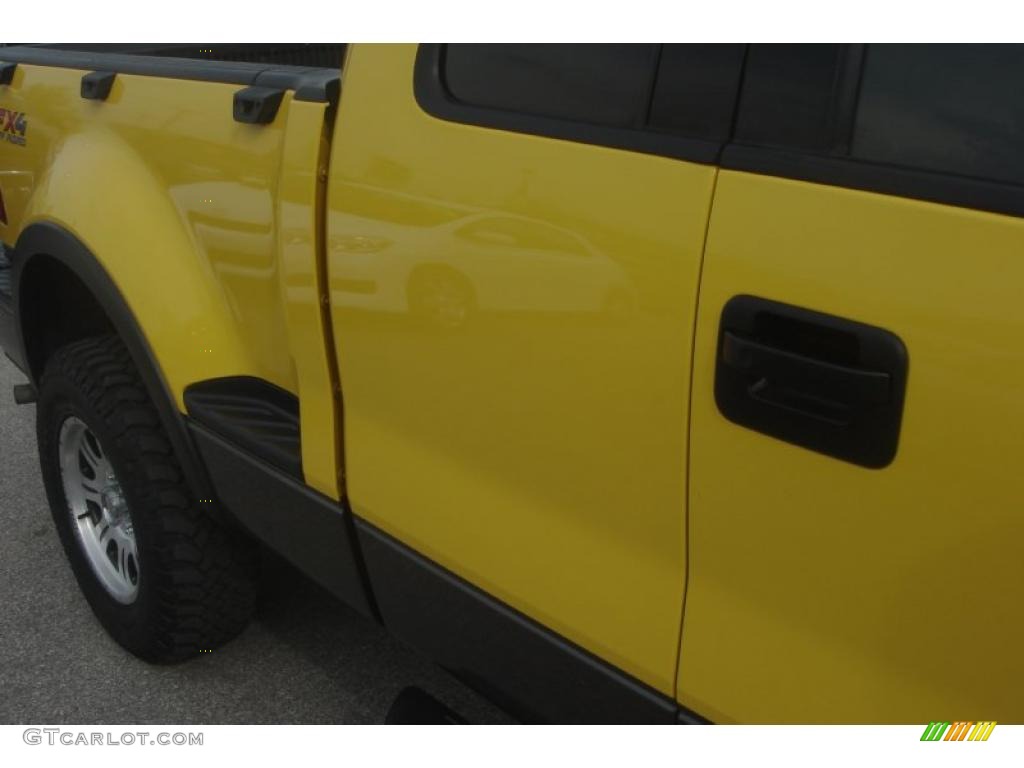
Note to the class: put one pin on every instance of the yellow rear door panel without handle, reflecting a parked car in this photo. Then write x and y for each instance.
(515, 319)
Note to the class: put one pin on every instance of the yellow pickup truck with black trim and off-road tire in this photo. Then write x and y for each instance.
(633, 383)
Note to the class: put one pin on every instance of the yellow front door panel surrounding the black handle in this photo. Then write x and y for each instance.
(824, 591)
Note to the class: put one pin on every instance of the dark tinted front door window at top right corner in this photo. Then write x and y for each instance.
(957, 109)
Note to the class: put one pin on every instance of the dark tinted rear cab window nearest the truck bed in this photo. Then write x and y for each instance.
(595, 84)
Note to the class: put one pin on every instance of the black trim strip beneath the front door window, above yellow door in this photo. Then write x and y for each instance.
(859, 175)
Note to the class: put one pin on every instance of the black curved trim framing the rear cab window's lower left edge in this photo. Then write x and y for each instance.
(435, 99)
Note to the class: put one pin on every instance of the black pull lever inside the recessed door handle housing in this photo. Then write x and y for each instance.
(805, 386)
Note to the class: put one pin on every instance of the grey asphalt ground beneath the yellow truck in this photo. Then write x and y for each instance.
(306, 659)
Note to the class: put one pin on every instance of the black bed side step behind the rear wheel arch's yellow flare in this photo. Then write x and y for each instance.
(254, 415)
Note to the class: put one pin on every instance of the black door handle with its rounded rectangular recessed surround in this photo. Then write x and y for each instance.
(826, 383)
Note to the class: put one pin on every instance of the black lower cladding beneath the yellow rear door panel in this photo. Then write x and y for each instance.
(525, 668)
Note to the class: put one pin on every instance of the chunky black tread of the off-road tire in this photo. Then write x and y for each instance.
(204, 573)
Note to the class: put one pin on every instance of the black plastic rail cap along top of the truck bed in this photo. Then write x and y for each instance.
(310, 84)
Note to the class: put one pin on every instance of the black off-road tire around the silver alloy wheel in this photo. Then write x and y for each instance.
(196, 575)
